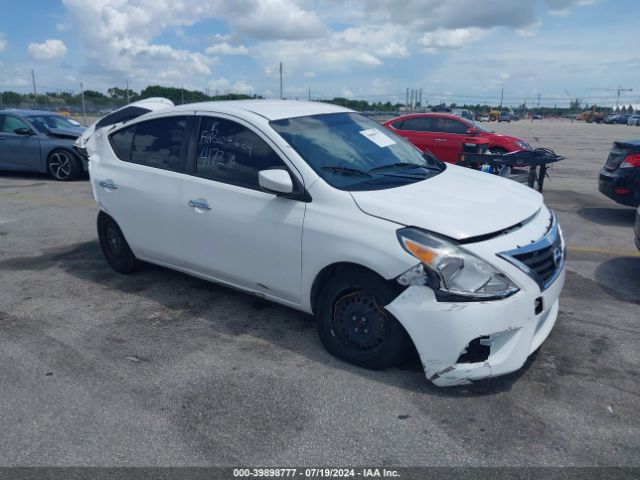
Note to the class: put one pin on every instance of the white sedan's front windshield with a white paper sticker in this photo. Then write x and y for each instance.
(351, 152)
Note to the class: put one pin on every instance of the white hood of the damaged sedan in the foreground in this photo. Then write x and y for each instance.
(459, 203)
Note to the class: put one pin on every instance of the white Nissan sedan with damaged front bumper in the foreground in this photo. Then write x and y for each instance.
(319, 208)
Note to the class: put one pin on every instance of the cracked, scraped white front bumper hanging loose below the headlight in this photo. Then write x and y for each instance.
(450, 337)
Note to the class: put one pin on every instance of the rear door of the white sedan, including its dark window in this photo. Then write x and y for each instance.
(140, 186)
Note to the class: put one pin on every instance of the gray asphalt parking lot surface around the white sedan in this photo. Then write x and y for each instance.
(158, 368)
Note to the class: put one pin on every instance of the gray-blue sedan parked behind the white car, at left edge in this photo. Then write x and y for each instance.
(40, 141)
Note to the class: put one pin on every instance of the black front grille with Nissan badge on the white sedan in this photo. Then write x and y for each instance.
(542, 260)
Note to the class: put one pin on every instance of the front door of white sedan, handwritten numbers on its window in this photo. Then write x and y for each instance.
(231, 229)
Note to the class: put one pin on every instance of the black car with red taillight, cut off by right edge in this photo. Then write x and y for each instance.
(620, 176)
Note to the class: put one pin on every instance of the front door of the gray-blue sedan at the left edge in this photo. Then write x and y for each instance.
(18, 152)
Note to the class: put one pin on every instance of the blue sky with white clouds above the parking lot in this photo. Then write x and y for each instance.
(457, 50)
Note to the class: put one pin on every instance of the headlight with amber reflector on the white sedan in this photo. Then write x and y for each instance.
(453, 273)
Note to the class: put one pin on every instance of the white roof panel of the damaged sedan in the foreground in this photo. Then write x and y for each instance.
(269, 109)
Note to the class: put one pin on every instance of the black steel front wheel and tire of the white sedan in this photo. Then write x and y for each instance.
(353, 324)
